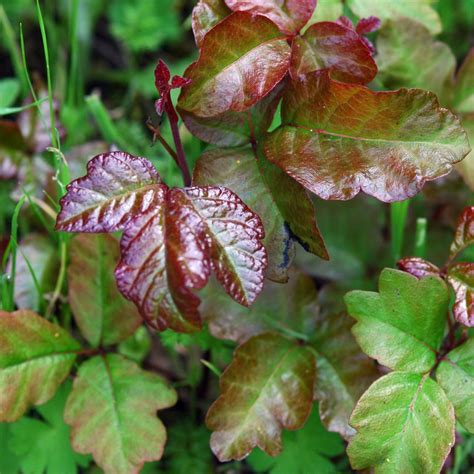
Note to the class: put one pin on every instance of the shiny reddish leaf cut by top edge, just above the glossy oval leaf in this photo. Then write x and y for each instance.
(289, 15)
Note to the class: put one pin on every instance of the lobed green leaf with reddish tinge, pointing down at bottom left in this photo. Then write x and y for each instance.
(112, 413)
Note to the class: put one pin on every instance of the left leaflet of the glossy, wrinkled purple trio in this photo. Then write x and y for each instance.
(117, 187)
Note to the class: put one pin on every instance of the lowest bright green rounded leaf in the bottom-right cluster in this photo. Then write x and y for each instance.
(405, 423)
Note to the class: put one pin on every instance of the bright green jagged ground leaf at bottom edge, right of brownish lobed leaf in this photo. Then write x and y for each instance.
(305, 451)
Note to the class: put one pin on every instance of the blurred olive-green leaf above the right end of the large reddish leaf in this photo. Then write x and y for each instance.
(408, 56)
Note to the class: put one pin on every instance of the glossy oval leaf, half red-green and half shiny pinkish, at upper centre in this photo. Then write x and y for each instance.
(242, 59)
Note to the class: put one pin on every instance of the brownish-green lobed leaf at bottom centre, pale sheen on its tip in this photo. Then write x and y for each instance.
(267, 387)
